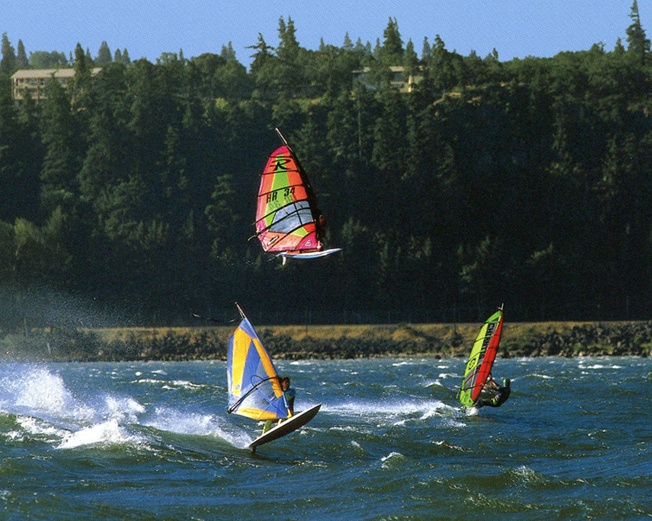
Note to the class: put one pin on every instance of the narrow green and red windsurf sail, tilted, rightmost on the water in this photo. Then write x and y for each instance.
(481, 359)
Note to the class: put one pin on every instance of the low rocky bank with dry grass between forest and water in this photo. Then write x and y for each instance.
(325, 342)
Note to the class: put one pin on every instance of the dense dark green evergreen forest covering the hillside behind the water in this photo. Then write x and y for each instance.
(129, 197)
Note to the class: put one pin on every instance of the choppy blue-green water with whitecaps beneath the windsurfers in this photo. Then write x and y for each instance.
(154, 441)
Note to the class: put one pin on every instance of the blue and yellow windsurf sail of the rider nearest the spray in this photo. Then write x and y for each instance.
(254, 386)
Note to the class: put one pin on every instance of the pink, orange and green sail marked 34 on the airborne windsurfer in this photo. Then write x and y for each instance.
(286, 213)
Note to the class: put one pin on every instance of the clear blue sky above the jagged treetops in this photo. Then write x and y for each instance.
(149, 28)
